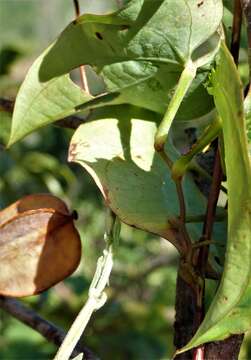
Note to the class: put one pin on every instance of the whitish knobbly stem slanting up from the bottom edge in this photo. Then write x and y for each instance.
(97, 298)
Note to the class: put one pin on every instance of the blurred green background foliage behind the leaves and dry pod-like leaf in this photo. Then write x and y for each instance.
(136, 322)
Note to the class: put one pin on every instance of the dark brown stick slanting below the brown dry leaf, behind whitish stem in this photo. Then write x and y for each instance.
(45, 328)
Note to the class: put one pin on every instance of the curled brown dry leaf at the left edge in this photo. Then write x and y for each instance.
(39, 245)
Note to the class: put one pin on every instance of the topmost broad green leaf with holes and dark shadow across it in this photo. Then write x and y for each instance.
(139, 51)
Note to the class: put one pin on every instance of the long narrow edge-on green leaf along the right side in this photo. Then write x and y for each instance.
(230, 311)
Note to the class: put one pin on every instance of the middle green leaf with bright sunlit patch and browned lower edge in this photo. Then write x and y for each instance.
(118, 151)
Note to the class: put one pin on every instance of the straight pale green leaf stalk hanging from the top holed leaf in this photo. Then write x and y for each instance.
(187, 77)
